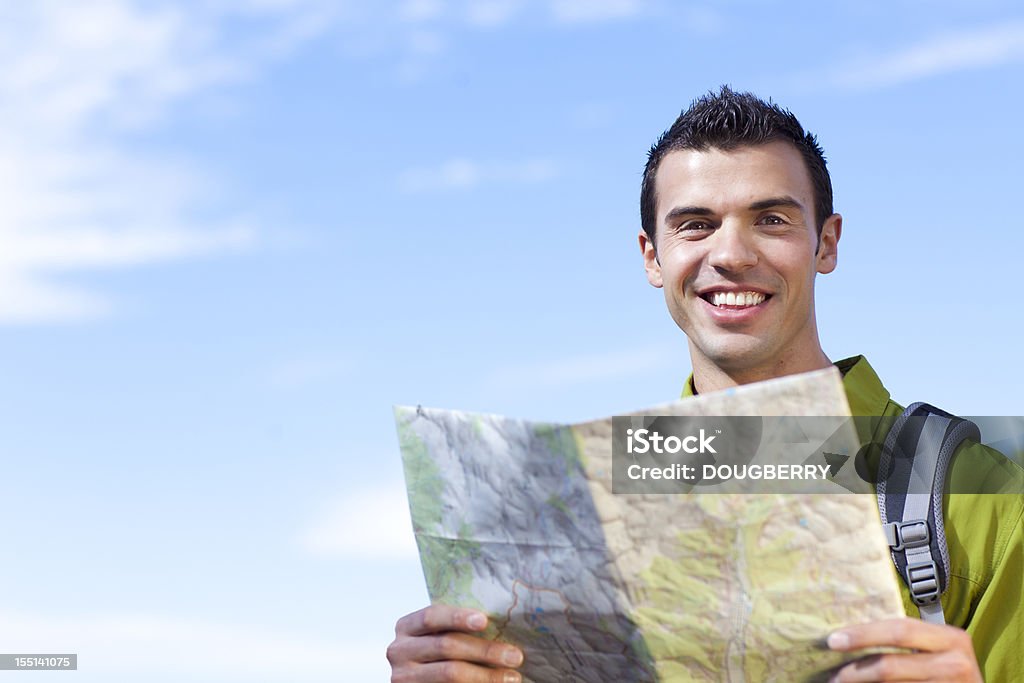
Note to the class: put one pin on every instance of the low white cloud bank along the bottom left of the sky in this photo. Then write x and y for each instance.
(145, 648)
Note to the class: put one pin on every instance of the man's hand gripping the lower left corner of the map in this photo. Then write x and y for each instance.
(435, 646)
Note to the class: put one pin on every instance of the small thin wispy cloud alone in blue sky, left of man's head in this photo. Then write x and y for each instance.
(464, 175)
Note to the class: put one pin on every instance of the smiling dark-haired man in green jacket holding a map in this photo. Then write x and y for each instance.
(738, 222)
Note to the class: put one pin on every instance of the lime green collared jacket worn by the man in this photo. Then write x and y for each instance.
(985, 534)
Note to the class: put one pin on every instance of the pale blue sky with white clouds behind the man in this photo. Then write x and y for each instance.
(236, 233)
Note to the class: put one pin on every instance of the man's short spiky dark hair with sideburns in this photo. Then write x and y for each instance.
(729, 120)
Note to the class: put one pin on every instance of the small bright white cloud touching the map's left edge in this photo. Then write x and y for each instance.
(370, 525)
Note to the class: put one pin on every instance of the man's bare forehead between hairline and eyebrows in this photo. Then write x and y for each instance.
(729, 181)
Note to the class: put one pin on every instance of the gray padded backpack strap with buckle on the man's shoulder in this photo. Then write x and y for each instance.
(912, 479)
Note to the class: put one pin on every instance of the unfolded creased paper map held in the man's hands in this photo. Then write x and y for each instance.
(520, 520)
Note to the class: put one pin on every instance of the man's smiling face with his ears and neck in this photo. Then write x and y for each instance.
(737, 254)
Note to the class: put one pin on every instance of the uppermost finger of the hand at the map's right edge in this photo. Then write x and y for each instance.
(910, 633)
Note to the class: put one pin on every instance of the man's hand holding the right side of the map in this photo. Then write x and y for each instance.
(943, 653)
